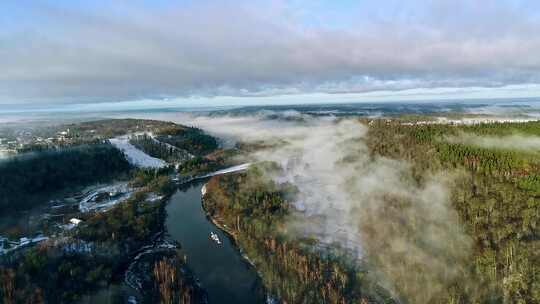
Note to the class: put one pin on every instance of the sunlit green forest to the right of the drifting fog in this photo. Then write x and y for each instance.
(496, 194)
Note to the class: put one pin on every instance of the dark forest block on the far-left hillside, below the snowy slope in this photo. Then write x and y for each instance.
(26, 178)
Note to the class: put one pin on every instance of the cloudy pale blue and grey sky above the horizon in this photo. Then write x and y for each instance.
(247, 52)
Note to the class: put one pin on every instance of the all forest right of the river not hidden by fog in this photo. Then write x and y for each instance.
(494, 190)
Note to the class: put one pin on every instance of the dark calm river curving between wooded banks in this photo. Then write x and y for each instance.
(223, 272)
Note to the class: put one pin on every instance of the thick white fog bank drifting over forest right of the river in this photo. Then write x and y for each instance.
(367, 205)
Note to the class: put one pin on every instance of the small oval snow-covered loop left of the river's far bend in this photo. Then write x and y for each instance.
(104, 198)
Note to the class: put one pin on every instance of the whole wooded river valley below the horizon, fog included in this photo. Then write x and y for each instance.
(289, 226)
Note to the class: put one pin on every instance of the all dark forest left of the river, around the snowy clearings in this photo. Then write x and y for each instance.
(96, 253)
